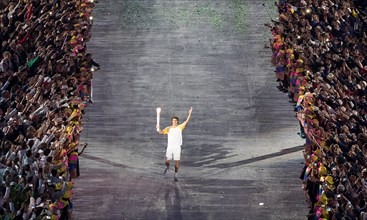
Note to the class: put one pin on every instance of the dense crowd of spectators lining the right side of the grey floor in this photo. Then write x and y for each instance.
(319, 50)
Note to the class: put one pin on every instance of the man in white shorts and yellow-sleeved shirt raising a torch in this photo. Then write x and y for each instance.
(174, 133)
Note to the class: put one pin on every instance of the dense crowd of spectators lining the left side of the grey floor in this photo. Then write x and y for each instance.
(45, 83)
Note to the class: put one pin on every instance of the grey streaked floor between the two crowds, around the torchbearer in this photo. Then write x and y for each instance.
(241, 156)
